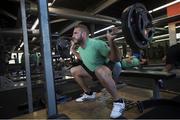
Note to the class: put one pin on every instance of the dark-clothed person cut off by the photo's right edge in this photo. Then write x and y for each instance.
(172, 57)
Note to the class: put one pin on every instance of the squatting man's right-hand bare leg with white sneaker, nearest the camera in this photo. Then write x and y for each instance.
(104, 75)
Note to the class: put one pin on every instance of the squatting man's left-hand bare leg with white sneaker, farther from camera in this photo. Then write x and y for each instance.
(81, 76)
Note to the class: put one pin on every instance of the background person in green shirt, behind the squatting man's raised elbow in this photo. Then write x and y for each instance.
(130, 61)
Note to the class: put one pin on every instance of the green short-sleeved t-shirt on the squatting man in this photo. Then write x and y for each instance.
(94, 54)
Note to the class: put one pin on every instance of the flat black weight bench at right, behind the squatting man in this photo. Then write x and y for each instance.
(158, 77)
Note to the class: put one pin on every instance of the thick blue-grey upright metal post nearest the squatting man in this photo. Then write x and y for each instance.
(49, 78)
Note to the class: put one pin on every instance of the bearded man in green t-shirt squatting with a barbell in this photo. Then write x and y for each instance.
(94, 54)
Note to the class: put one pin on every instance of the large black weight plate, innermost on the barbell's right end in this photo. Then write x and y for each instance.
(130, 27)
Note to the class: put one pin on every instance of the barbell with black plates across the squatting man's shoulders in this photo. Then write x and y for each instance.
(137, 29)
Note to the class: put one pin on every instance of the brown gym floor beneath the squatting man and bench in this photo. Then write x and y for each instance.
(101, 107)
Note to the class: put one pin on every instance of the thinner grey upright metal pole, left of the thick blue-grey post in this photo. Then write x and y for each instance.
(26, 52)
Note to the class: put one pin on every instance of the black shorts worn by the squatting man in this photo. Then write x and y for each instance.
(110, 65)
